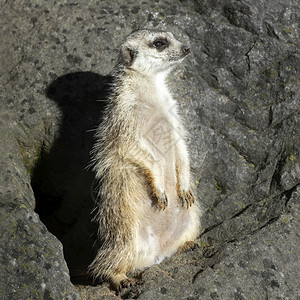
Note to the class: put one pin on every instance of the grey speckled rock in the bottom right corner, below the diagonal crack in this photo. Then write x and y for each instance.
(261, 266)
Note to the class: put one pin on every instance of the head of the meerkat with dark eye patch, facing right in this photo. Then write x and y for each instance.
(152, 52)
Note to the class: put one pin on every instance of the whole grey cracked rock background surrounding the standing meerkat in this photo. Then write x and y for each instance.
(239, 93)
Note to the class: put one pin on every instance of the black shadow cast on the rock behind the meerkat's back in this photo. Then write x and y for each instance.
(61, 180)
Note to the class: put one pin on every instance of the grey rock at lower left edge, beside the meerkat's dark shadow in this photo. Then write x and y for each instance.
(32, 263)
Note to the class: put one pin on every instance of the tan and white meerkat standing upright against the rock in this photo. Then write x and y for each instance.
(146, 209)
